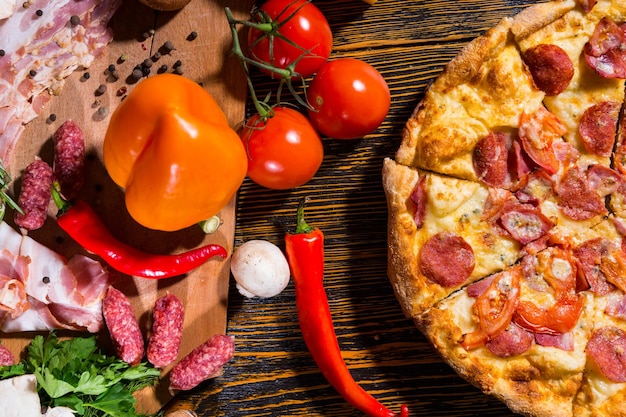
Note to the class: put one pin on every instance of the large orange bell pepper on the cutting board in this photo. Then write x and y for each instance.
(169, 145)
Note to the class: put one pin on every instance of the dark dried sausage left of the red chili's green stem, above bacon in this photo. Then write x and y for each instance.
(35, 195)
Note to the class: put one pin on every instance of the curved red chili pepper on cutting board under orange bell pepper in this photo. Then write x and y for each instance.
(83, 225)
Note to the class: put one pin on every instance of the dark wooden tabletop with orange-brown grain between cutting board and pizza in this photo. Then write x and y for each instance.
(272, 373)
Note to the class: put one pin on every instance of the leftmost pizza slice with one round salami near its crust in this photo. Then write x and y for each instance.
(445, 233)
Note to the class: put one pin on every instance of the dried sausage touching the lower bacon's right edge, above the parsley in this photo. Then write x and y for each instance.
(123, 326)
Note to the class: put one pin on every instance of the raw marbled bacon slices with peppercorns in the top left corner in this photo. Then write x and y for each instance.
(39, 52)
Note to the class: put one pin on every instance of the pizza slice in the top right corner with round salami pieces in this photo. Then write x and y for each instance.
(571, 60)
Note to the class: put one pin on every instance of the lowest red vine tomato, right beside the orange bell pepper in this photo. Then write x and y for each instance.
(283, 152)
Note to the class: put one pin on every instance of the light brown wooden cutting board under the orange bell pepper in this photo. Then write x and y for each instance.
(204, 59)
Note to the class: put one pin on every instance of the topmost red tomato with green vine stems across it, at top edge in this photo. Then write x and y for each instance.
(296, 22)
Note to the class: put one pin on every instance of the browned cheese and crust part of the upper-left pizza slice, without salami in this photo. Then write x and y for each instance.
(483, 91)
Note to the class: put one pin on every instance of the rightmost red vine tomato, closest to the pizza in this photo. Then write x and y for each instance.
(349, 98)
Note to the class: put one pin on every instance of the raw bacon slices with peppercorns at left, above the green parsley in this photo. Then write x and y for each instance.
(41, 290)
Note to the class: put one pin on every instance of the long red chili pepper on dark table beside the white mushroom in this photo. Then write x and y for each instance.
(305, 253)
